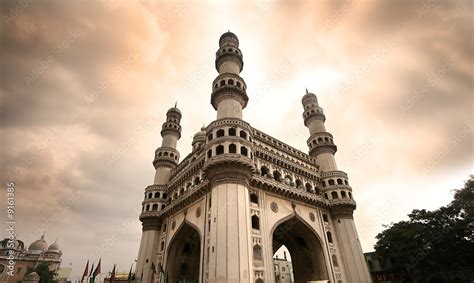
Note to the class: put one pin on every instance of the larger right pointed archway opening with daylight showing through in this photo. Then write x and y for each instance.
(304, 248)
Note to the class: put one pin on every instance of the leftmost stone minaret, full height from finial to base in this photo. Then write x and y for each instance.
(166, 159)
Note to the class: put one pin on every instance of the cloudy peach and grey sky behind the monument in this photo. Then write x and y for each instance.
(85, 86)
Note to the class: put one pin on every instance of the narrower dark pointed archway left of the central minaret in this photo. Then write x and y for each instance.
(184, 256)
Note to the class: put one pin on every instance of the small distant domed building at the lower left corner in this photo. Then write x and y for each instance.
(38, 252)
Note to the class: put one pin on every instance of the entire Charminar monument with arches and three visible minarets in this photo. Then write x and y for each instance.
(221, 213)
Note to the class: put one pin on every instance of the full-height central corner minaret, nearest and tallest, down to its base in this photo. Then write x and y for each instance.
(228, 167)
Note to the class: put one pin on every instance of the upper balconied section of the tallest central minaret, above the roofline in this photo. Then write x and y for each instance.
(229, 95)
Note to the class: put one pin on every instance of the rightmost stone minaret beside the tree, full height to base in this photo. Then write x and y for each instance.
(336, 188)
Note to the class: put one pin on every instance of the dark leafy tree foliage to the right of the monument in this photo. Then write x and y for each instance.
(439, 240)
